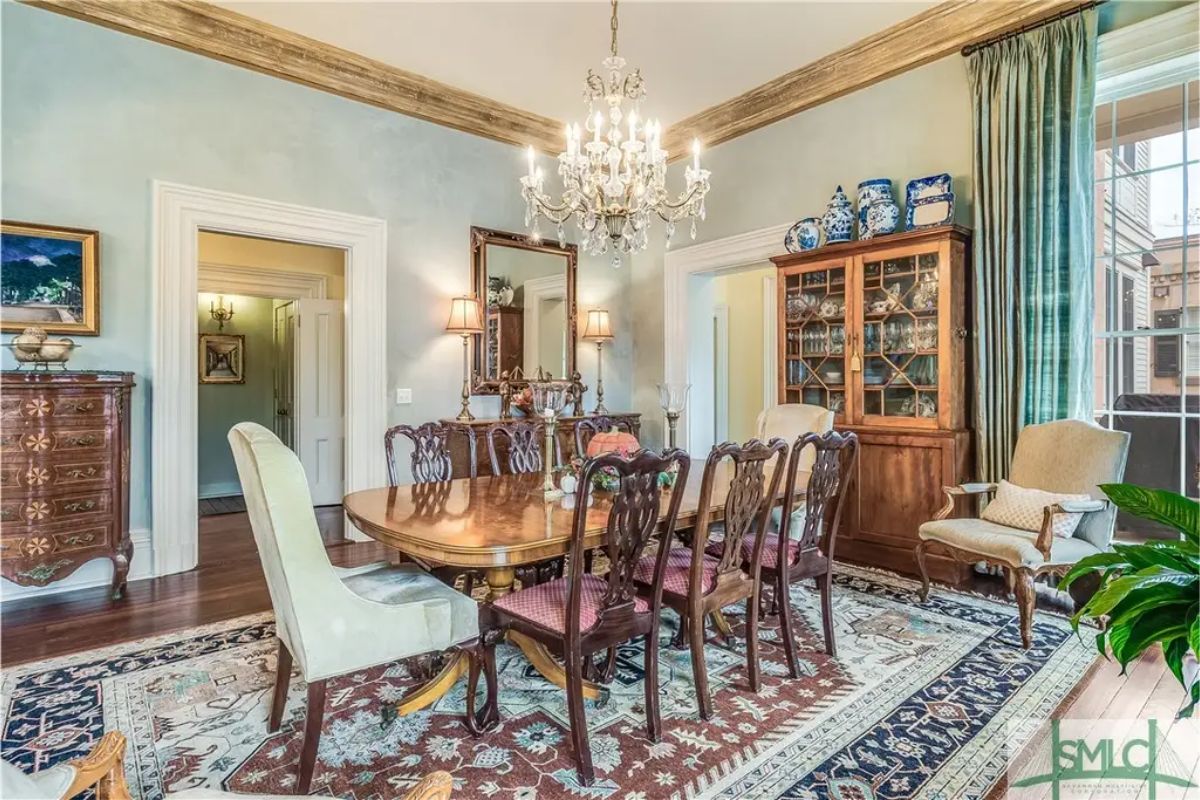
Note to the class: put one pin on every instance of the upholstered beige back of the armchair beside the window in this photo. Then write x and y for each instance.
(1072, 456)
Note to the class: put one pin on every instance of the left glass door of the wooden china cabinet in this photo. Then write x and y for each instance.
(815, 338)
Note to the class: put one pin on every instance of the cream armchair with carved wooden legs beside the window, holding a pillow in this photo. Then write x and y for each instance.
(1061, 458)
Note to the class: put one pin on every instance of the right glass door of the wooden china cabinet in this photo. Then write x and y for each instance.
(899, 302)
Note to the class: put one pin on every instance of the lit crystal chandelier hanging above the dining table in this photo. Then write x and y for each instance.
(617, 179)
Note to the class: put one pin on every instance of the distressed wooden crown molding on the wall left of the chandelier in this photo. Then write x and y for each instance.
(226, 35)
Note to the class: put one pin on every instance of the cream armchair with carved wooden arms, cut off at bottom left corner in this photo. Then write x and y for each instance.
(104, 769)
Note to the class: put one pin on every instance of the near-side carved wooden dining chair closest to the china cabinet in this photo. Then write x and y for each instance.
(831, 460)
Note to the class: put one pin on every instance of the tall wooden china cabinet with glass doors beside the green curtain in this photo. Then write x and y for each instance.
(875, 330)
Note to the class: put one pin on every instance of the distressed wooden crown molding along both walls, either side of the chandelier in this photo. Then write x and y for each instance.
(221, 34)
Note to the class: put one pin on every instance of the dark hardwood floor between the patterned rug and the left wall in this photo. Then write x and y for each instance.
(227, 584)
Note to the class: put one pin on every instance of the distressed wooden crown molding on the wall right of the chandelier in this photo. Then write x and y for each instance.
(929, 37)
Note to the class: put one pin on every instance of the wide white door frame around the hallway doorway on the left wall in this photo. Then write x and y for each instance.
(181, 213)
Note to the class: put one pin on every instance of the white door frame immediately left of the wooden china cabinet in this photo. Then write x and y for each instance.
(729, 255)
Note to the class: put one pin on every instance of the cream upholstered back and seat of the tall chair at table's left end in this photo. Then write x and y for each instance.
(327, 627)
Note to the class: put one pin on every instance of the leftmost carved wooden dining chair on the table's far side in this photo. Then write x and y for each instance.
(431, 465)
